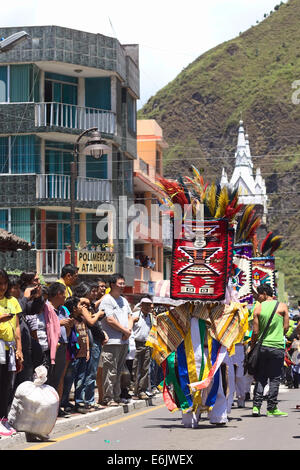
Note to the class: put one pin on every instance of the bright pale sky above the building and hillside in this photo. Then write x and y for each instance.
(170, 33)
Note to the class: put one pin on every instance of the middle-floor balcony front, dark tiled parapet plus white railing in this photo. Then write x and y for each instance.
(52, 189)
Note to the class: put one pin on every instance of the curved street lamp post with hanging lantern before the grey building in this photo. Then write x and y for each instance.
(94, 147)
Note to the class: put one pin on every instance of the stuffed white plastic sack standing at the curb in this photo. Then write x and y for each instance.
(35, 406)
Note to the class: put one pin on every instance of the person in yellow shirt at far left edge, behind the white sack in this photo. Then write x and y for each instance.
(11, 357)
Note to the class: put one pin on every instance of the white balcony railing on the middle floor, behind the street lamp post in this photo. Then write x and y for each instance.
(59, 187)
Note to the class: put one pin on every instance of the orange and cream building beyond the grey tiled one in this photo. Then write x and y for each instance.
(152, 240)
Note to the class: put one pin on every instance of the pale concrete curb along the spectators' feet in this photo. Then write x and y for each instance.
(74, 423)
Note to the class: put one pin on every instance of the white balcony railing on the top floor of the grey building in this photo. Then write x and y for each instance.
(74, 117)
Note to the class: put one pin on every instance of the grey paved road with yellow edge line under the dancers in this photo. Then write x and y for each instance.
(154, 428)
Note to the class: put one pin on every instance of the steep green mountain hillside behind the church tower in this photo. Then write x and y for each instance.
(252, 77)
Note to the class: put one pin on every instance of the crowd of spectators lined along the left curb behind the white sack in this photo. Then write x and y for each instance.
(87, 336)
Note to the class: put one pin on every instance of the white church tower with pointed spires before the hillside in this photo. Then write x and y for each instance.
(252, 188)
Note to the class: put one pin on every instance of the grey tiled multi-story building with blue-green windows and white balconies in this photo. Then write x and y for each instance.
(54, 86)
